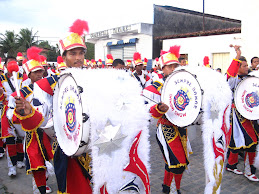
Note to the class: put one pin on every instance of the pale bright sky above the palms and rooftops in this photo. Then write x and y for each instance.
(51, 19)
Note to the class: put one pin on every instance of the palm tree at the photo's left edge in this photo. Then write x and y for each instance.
(8, 43)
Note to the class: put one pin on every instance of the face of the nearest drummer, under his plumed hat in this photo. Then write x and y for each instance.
(74, 57)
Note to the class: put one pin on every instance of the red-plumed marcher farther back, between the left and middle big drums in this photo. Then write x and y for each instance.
(143, 79)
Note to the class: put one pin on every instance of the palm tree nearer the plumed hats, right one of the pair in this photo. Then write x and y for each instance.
(26, 39)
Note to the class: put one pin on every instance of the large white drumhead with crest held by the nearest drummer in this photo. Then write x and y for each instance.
(67, 114)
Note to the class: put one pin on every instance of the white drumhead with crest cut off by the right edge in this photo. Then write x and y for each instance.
(246, 98)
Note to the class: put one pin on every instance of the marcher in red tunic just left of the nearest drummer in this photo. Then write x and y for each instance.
(37, 144)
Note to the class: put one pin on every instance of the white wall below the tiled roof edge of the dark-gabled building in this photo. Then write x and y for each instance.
(199, 47)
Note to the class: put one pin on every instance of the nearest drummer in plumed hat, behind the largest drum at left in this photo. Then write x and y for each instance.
(71, 172)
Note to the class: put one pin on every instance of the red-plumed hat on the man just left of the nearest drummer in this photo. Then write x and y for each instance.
(34, 60)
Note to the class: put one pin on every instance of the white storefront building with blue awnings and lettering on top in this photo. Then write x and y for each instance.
(123, 41)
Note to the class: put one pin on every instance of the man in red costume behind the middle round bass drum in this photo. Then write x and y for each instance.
(171, 139)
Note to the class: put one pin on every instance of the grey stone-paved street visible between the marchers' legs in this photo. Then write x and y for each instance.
(194, 182)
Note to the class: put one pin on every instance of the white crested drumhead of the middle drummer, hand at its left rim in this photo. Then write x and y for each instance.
(182, 93)
